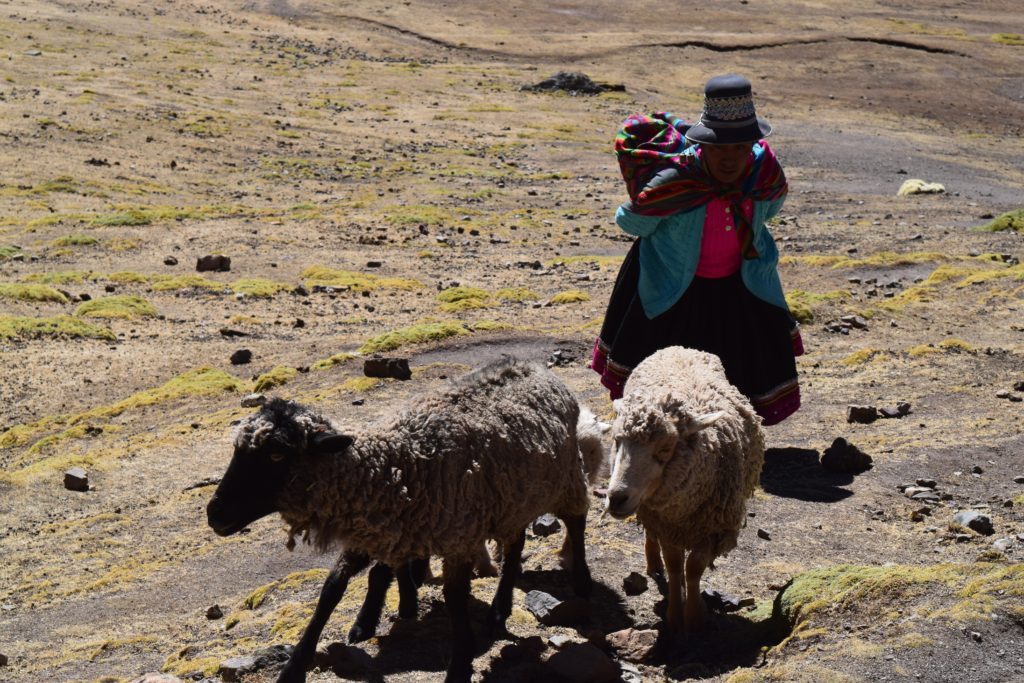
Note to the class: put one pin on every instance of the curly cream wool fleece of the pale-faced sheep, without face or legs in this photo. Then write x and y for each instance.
(701, 502)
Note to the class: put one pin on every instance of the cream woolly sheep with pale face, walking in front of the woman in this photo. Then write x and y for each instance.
(690, 452)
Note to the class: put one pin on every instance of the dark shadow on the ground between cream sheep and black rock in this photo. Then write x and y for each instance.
(797, 474)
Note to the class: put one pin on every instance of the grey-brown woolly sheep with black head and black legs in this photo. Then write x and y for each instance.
(478, 461)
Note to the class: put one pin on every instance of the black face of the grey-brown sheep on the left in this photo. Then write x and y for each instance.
(249, 490)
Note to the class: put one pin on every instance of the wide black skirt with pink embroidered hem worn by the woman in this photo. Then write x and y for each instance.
(757, 343)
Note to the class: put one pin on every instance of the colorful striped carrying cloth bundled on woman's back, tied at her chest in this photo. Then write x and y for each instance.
(664, 174)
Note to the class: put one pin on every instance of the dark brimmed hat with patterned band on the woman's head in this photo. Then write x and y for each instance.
(729, 117)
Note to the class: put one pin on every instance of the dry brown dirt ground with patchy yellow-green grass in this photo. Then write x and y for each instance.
(358, 163)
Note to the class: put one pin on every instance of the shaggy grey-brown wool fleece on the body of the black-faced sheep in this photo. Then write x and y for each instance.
(478, 461)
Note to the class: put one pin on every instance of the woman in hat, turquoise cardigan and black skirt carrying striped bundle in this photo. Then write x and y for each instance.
(704, 272)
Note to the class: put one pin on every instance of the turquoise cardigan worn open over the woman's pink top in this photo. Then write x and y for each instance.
(670, 248)
